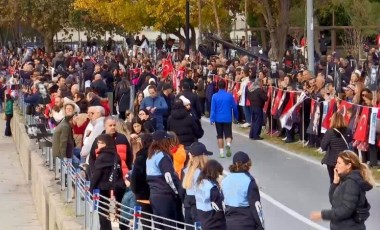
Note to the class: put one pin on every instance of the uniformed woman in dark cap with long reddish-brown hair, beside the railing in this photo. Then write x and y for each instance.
(163, 182)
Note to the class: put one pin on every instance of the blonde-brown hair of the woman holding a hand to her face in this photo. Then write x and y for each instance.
(350, 157)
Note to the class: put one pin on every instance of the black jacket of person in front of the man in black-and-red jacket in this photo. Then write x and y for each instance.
(104, 170)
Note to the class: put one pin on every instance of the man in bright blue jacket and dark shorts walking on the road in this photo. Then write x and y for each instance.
(222, 106)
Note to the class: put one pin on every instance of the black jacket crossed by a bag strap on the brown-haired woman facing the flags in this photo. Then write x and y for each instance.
(333, 144)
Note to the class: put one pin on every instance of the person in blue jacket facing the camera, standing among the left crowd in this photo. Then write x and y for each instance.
(156, 105)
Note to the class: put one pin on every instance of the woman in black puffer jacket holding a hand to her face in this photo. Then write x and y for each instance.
(347, 194)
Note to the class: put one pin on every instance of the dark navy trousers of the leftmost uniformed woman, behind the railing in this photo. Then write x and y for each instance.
(163, 206)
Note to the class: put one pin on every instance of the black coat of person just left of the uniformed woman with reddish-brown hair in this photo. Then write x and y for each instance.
(139, 185)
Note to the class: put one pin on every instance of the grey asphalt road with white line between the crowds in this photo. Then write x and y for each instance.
(292, 187)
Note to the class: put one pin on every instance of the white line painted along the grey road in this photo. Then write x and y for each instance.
(289, 211)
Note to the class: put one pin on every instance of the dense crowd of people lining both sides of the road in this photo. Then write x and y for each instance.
(133, 124)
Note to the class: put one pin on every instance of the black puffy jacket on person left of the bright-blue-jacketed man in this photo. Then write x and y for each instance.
(183, 124)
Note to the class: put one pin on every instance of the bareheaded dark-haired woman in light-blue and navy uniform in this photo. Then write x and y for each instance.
(209, 198)
